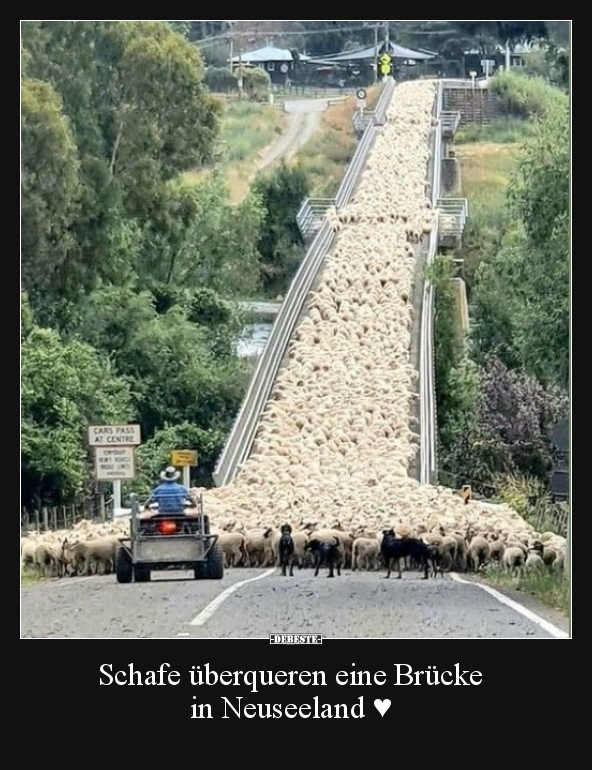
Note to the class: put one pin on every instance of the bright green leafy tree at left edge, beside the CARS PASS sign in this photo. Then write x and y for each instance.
(65, 386)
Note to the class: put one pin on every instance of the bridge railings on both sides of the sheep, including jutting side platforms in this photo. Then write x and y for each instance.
(316, 220)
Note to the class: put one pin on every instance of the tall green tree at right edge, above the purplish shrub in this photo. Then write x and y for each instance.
(523, 292)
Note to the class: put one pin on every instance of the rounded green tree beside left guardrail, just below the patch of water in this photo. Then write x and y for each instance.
(176, 371)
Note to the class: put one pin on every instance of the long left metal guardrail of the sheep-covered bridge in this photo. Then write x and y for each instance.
(242, 435)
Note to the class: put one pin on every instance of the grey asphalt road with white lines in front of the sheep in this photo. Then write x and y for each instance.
(355, 605)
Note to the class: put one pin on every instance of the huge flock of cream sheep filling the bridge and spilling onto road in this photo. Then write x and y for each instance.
(337, 437)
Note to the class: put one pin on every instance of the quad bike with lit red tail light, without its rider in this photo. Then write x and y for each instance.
(168, 542)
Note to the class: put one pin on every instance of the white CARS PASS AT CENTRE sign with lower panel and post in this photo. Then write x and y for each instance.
(114, 455)
